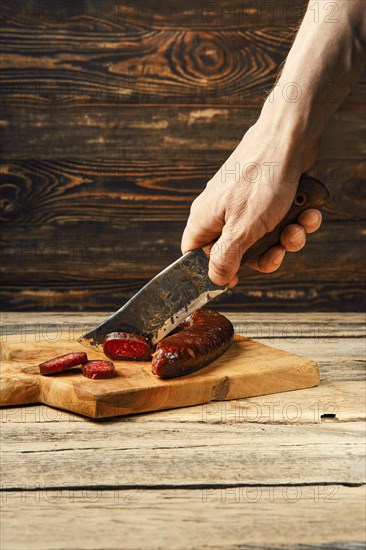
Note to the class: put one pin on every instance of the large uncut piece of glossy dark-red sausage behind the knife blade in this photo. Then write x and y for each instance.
(202, 337)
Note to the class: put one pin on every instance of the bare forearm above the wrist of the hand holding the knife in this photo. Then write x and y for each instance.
(325, 61)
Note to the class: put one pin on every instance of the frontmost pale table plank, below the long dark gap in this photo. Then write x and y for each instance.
(181, 519)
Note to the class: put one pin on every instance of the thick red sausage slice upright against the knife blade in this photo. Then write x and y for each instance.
(122, 345)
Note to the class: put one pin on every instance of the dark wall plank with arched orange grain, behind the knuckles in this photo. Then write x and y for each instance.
(150, 191)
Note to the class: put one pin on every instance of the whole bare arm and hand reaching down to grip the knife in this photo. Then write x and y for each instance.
(253, 190)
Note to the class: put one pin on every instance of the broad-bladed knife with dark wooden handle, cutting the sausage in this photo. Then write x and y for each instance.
(184, 286)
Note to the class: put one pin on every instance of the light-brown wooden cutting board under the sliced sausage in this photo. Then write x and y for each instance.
(247, 369)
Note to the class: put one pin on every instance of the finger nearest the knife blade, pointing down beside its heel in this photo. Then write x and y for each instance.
(225, 258)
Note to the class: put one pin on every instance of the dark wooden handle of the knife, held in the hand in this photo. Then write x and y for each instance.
(311, 193)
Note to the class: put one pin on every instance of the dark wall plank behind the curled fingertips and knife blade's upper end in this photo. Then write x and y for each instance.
(102, 251)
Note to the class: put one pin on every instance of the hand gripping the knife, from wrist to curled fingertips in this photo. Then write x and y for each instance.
(248, 197)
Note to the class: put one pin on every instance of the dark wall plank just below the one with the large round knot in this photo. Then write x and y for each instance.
(134, 132)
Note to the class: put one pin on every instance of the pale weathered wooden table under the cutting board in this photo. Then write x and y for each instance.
(279, 471)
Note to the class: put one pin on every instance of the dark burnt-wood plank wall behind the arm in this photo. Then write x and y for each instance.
(113, 116)
